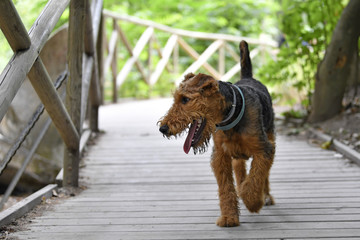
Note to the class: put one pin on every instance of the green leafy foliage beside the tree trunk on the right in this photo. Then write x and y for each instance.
(307, 27)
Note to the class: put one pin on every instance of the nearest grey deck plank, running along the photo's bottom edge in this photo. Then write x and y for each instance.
(242, 232)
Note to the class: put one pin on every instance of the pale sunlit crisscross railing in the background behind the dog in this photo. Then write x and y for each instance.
(222, 44)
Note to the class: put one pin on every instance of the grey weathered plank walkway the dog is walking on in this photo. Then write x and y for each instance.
(142, 186)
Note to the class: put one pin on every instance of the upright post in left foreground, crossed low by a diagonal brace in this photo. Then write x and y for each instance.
(74, 86)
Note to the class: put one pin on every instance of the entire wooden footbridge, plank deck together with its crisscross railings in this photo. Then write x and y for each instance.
(138, 184)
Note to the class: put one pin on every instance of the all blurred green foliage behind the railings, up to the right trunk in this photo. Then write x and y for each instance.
(303, 29)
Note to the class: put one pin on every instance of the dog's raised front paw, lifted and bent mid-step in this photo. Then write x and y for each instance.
(252, 197)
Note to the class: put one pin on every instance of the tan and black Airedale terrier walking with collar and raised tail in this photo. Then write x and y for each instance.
(240, 118)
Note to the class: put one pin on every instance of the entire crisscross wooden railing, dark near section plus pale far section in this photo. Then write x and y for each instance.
(88, 65)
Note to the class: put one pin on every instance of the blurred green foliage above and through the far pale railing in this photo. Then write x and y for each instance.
(242, 18)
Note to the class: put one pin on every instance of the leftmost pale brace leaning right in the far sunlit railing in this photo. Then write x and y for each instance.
(145, 37)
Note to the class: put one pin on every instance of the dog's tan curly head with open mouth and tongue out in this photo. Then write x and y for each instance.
(197, 107)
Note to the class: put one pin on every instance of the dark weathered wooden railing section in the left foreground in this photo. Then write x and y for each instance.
(83, 73)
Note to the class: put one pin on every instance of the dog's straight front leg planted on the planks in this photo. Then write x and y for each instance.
(221, 165)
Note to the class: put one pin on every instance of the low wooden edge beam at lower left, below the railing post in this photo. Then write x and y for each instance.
(25, 205)
